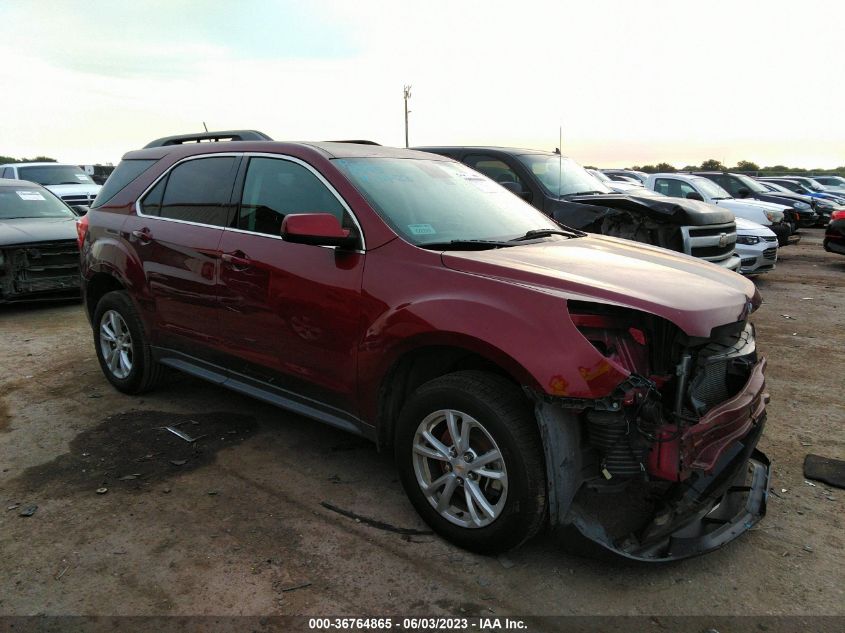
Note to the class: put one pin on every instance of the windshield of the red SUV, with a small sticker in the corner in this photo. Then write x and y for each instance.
(436, 202)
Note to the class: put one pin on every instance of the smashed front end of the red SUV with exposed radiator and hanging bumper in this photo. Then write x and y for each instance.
(666, 466)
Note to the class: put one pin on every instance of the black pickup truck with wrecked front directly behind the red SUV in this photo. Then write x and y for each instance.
(562, 189)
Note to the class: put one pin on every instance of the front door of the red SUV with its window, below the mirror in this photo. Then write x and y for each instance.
(292, 316)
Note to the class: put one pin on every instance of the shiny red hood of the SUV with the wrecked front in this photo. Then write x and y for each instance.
(693, 294)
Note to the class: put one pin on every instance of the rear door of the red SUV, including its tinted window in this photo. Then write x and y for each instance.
(175, 235)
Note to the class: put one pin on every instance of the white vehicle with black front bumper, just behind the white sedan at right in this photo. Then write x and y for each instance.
(691, 187)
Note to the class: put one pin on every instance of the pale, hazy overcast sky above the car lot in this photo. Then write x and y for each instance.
(628, 83)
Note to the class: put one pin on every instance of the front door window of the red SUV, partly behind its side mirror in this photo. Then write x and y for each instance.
(275, 188)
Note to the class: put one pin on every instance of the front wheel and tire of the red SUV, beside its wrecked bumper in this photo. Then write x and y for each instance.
(470, 459)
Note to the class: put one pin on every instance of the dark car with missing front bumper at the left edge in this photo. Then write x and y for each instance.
(39, 257)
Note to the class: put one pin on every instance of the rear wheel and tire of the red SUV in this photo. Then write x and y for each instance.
(121, 345)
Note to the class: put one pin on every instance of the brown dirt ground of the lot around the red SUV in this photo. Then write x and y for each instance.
(236, 523)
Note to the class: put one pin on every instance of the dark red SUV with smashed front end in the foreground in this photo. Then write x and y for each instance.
(524, 374)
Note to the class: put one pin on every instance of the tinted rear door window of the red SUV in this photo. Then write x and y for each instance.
(197, 190)
